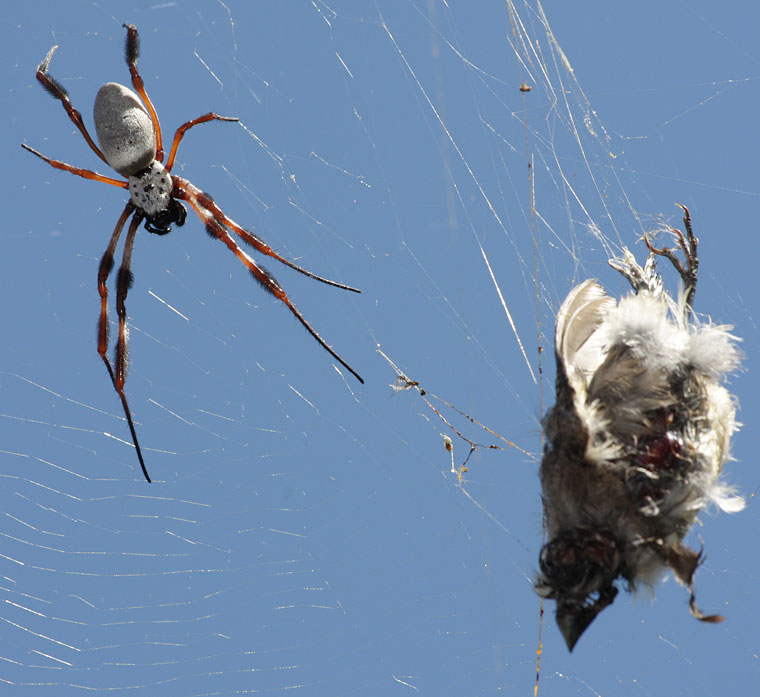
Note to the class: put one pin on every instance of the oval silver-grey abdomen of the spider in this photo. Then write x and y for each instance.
(125, 131)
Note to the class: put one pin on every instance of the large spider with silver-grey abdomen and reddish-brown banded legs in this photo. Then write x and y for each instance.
(131, 144)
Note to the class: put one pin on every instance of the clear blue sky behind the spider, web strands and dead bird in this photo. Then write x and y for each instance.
(302, 532)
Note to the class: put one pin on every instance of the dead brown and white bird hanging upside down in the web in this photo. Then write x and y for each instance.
(636, 441)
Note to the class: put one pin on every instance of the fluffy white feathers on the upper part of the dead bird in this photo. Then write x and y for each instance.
(651, 326)
